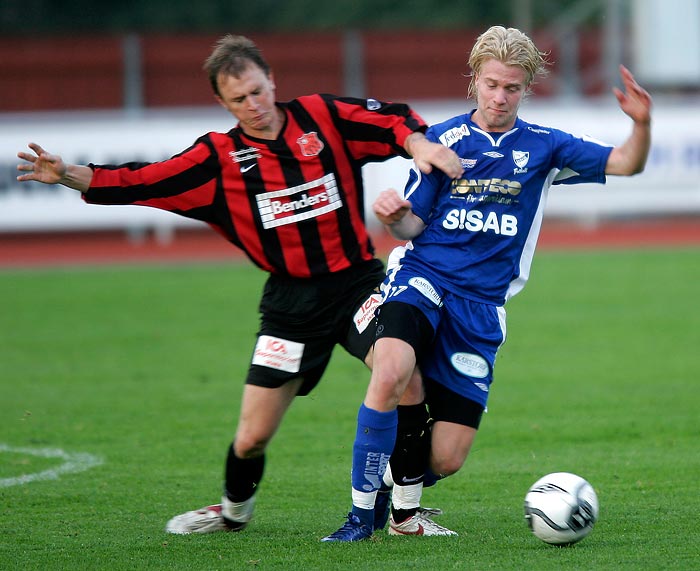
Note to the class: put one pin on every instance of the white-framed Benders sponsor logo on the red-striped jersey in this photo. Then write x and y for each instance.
(292, 205)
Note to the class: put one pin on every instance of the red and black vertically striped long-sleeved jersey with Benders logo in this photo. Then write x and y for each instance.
(295, 204)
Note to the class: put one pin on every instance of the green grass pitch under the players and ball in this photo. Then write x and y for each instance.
(138, 371)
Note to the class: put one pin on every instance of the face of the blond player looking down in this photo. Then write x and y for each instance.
(499, 91)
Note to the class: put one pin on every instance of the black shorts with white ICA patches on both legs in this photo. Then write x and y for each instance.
(302, 320)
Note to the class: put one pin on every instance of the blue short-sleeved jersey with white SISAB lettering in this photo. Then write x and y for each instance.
(481, 229)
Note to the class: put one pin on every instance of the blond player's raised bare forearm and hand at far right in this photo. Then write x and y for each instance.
(631, 157)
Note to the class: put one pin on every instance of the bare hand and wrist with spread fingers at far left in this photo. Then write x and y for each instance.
(50, 169)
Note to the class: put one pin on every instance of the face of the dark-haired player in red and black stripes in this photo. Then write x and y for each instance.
(251, 99)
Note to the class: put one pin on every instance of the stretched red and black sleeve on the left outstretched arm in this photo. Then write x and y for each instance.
(183, 183)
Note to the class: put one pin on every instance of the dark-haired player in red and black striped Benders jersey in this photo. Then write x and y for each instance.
(285, 186)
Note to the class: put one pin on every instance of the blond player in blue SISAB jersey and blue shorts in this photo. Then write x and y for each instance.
(472, 240)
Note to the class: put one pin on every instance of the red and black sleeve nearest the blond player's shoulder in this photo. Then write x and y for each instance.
(374, 130)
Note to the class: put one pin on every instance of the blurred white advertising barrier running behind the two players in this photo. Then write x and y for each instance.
(670, 184)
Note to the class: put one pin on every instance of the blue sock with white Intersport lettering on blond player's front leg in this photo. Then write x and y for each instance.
(374, 443)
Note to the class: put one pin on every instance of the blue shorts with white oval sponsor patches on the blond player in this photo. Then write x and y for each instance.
(466, 334)
